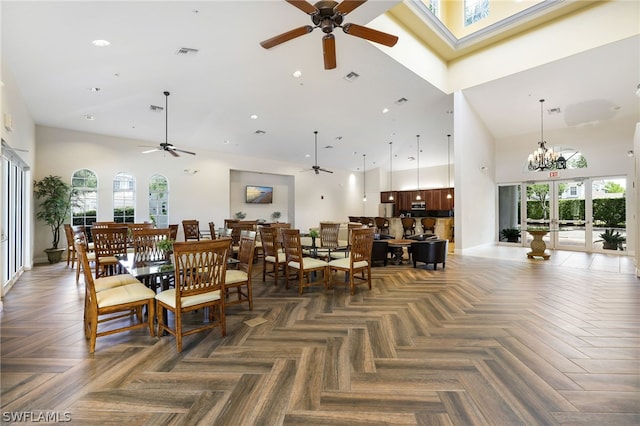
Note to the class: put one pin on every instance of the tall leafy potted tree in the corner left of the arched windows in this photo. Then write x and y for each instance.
(54, 209)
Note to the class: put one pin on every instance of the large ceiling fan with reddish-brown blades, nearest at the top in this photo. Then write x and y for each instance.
(328, 15)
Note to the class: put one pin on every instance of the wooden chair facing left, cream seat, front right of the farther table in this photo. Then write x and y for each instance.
(358, 261)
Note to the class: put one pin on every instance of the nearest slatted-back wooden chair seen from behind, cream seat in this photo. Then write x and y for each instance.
(200, 272)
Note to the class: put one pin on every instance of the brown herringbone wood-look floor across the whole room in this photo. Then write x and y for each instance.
(481, 342)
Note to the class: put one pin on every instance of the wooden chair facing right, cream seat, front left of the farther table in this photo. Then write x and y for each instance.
(298, 265)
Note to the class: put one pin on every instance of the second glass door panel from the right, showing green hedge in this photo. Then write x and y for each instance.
(569, 215)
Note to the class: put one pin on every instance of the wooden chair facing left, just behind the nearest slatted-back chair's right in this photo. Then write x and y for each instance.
(239, 279)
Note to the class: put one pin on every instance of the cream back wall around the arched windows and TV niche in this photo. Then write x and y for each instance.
(204, 196)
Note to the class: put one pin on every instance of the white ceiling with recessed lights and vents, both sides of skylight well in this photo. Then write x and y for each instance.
(47, 47)
